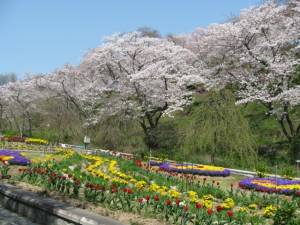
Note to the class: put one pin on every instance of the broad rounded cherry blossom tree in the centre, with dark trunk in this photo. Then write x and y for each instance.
(138, 77)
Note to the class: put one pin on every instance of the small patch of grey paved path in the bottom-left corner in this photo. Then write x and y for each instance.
(10, 218)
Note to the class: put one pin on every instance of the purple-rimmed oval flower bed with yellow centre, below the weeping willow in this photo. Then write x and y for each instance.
(195, 169)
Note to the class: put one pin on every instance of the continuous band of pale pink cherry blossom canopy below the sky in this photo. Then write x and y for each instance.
(145, 77)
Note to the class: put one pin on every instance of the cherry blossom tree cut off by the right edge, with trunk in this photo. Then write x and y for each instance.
(259, 51)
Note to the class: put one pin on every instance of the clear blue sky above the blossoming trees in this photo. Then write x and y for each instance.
(38, 36)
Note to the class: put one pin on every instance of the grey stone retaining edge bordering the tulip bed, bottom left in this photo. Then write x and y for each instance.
(47, 211)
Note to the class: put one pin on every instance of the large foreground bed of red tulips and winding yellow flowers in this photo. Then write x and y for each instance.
(122, 185)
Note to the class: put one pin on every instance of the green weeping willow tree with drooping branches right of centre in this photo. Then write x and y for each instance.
(219, 129)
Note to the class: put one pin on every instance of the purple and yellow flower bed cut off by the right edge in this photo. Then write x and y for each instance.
(271, 185)
